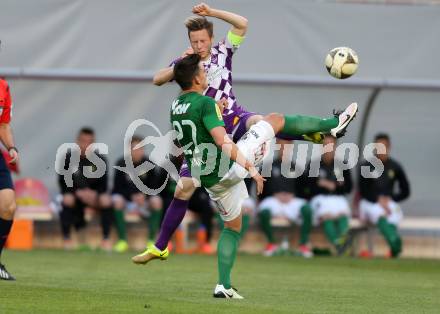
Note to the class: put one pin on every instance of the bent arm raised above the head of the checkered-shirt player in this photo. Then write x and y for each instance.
(238, 22)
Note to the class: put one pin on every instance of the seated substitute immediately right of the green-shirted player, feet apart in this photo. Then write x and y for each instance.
(281, 198)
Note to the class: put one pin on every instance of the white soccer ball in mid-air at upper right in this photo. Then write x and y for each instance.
(341, 62)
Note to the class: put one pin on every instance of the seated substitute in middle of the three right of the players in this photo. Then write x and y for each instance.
(330, 206)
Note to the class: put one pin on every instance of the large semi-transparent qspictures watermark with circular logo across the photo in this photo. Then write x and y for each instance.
(163, 148)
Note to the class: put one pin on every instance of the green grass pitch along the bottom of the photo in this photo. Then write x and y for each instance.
(88, 282)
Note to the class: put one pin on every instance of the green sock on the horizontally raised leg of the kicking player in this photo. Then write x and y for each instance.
(299, 125)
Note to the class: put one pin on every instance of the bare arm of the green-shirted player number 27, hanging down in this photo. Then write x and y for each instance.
(230, 149)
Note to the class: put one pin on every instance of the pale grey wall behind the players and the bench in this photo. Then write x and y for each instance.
(285, 37)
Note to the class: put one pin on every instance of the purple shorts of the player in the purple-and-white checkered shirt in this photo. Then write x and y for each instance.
(235, 125)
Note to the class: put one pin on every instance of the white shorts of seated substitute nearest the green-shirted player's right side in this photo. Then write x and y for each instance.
(290, 210)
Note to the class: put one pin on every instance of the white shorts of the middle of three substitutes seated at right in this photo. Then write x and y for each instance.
(329, 205)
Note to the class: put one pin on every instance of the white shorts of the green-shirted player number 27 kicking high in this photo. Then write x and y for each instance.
(230, 193)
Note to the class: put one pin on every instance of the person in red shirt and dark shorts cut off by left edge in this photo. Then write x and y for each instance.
(7, 194)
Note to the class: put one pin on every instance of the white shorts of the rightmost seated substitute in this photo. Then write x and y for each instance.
(371, 212)
